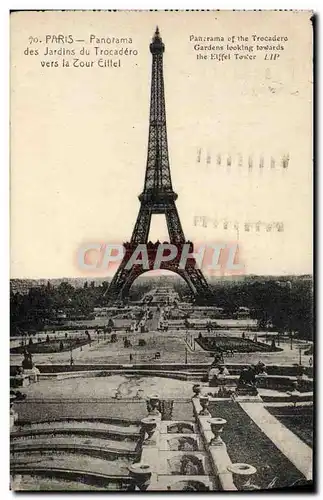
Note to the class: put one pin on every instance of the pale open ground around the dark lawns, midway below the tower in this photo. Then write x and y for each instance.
(171, 345)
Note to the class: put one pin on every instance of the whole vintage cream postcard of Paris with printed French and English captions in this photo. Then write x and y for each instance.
(161, 294)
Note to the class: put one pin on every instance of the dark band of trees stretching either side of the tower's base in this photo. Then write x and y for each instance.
(286, 306)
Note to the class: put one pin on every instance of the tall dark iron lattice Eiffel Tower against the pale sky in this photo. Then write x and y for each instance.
(158, 197)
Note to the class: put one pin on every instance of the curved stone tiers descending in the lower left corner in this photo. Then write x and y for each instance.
(85, 452)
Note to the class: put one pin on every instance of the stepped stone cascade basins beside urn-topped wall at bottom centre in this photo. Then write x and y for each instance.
(181, 467)
